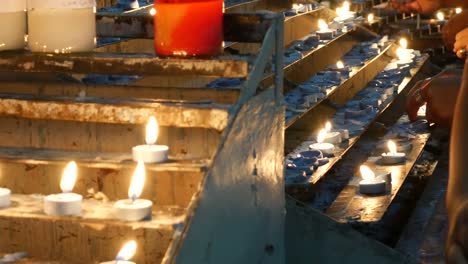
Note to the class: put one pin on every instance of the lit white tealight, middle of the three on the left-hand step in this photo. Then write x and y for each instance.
(65, 203)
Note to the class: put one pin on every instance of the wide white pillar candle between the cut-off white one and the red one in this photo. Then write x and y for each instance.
(61, 26)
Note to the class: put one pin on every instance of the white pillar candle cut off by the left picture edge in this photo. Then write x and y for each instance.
(13, 17)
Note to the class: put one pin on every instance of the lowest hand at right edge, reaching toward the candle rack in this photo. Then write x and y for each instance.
(439, 94)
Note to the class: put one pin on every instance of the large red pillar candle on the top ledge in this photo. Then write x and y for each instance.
(186, 27)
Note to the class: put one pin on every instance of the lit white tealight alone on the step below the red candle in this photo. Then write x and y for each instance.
(151, 153)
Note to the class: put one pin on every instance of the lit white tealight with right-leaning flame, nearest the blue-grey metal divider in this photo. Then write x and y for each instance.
(134, 209)
